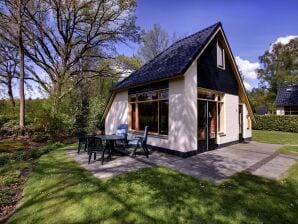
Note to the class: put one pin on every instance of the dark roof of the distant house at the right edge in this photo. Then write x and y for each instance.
(287, 96)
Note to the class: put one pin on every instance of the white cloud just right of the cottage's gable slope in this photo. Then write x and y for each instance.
(247, 68)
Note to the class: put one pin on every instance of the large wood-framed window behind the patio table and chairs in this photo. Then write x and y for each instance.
(150, 109)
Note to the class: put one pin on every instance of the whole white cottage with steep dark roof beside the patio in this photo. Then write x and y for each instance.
(191, 95)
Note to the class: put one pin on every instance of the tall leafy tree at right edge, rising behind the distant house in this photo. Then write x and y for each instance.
(280, 67)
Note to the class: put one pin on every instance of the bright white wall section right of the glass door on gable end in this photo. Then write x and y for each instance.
(231, 114)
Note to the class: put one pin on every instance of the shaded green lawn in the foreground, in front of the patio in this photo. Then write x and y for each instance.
(59, 191)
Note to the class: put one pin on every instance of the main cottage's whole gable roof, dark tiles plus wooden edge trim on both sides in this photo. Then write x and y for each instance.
(175, 60)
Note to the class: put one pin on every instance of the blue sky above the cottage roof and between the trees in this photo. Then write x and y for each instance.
(250, 26)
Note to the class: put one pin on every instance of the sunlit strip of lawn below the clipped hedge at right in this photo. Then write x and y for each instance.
(275, 137)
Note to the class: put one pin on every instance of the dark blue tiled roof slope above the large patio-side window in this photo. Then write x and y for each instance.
(171, 62)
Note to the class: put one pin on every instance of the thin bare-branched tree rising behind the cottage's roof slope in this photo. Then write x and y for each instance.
(153, 43)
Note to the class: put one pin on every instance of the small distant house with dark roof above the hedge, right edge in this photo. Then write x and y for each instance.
(287, 100)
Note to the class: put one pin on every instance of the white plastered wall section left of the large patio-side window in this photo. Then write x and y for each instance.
(118, 112)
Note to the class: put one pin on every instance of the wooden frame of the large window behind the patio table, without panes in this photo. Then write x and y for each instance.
(137, 101)
